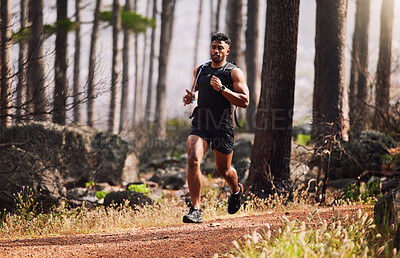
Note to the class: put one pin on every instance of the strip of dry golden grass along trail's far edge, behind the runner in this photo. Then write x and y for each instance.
(167, 211)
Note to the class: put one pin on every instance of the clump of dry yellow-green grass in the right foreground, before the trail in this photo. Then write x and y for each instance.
(340, 237)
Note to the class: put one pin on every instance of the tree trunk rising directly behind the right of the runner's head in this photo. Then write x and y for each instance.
(234, 23)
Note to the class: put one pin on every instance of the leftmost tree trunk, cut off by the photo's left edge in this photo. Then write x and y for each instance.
(5, 66)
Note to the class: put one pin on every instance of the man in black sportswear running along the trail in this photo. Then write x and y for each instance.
(218, 86)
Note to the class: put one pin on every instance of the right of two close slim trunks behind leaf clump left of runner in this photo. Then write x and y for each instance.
(125, 73)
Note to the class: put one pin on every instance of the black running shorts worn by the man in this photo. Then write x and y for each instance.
(220, 137)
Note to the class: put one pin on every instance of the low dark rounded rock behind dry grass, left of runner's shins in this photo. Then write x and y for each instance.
(119, 198)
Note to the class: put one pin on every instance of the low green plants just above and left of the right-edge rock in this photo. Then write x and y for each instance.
(365, 193)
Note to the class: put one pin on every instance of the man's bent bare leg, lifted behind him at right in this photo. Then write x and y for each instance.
(223, 162)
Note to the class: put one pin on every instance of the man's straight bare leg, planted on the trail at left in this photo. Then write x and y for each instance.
(197, 147)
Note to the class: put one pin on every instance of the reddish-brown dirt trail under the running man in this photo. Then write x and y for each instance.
(184, 240)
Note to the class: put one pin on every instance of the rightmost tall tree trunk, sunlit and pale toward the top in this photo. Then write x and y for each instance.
(382, 92)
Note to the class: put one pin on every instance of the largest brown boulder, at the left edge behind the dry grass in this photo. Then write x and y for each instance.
(50, 158)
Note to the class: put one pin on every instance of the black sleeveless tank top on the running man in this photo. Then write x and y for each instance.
(211, 101)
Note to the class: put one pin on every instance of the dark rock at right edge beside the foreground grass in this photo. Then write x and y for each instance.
(387, 212)
